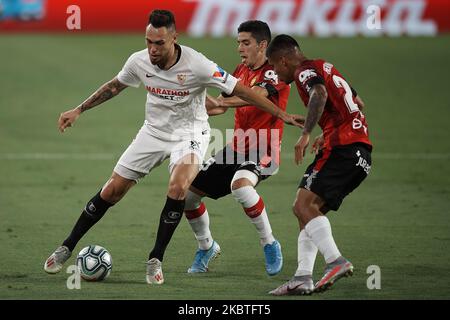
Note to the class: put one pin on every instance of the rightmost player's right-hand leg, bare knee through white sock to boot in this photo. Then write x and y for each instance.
(307, 208)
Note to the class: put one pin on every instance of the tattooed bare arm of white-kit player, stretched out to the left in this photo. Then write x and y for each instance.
(104, 93)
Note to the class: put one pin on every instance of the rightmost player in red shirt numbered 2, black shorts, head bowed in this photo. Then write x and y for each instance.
(343, 159)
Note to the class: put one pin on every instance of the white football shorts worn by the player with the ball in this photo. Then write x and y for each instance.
(148, 151)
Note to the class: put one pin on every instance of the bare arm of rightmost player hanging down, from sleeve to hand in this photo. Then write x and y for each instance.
(317, 100)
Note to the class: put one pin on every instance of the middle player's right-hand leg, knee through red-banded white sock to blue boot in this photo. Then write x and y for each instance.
(243, 190)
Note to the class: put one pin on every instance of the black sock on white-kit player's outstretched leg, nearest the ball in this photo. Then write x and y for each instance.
(92, 213)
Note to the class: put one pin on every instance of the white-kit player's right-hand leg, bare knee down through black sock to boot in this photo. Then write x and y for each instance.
(183, 173)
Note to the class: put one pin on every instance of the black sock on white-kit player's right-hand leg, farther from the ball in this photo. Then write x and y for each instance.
(170, 218)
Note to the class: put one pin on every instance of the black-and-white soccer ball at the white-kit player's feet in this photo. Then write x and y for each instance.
(94, 262)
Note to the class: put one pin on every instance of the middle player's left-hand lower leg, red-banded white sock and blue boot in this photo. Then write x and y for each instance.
(197, 215)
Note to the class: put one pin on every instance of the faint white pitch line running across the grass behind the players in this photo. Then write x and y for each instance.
(288, 155)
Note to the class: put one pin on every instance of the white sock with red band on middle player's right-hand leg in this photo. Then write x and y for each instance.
(255, 209)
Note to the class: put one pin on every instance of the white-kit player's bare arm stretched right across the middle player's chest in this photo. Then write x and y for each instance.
(261, 102)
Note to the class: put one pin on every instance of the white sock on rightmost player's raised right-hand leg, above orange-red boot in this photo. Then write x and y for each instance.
(319, 230)
